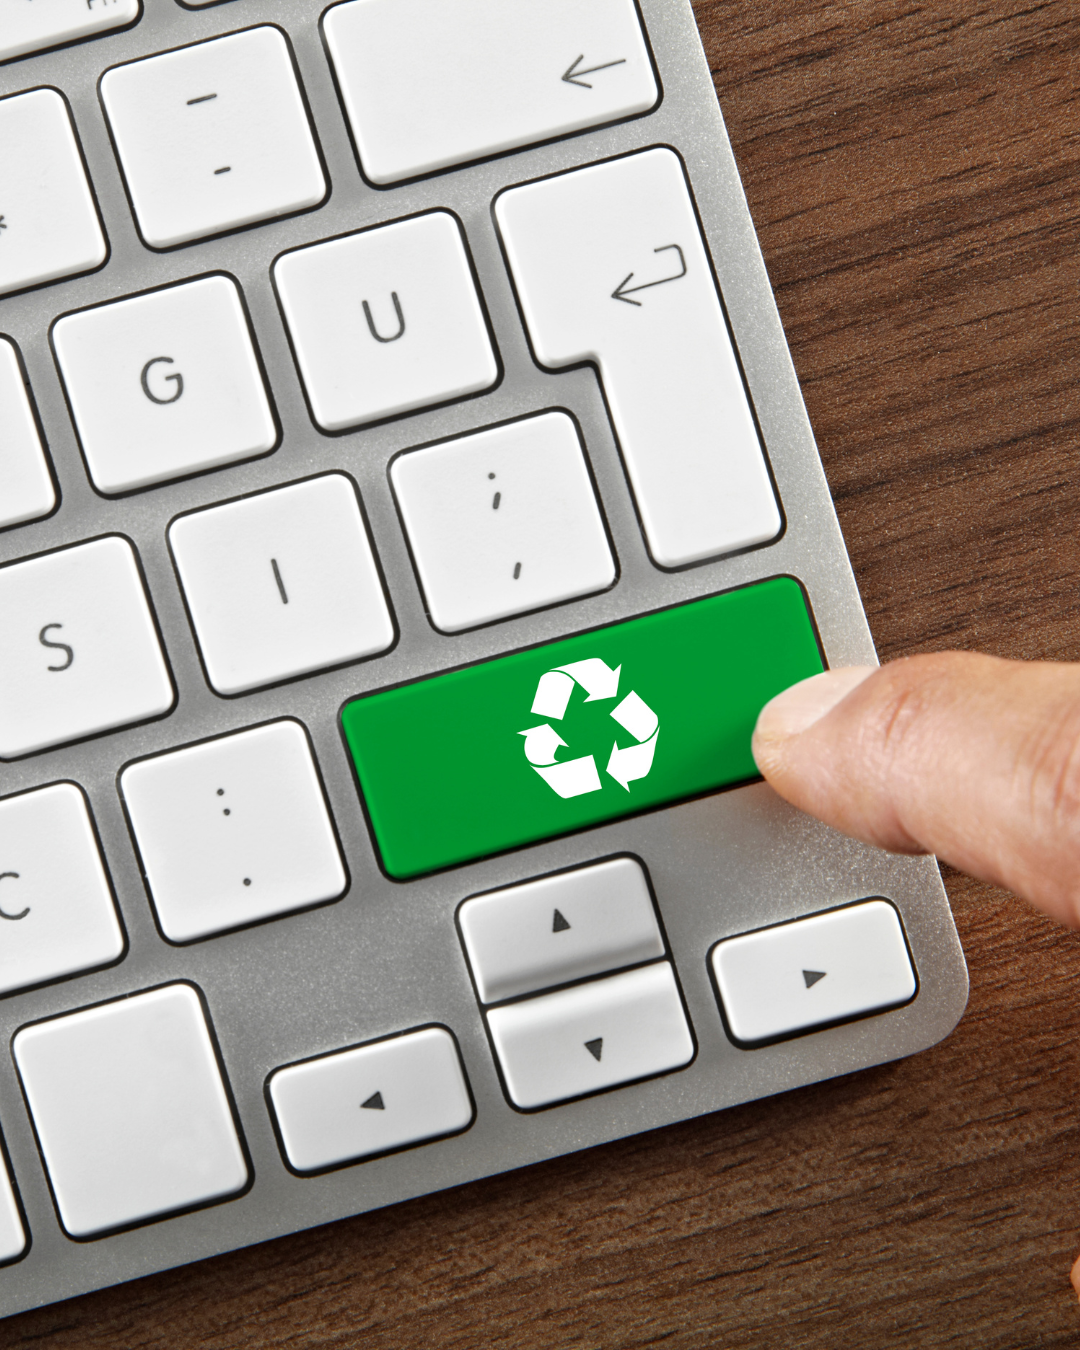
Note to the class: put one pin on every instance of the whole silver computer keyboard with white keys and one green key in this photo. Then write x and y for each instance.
(407, 508)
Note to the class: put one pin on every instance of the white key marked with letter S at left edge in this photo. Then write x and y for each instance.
(82, 654)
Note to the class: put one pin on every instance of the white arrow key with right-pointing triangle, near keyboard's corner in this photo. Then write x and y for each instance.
(827, 969)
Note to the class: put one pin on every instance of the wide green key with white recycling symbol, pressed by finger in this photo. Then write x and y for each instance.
(583, 731)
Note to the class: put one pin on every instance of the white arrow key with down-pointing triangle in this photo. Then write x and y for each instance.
(592, 1037)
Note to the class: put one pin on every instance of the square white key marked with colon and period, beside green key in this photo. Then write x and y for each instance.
(233, 831)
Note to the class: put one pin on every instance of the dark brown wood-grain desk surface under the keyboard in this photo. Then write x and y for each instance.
(913, 169)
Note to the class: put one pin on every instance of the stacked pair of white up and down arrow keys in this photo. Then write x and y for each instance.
(591, 1033)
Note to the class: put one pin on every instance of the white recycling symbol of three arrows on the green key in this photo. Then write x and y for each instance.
(577, 777)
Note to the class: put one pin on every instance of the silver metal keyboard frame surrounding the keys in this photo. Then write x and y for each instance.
(387, 956)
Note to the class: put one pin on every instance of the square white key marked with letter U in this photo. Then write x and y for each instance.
(387, 321)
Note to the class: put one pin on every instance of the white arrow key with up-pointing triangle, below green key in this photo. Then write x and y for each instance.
(560, 928)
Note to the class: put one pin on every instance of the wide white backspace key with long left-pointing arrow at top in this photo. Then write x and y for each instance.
(487, 76)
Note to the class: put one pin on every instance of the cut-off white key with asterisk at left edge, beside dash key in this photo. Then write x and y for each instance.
(49, 225)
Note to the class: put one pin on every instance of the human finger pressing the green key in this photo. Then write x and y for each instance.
(973, 758)
